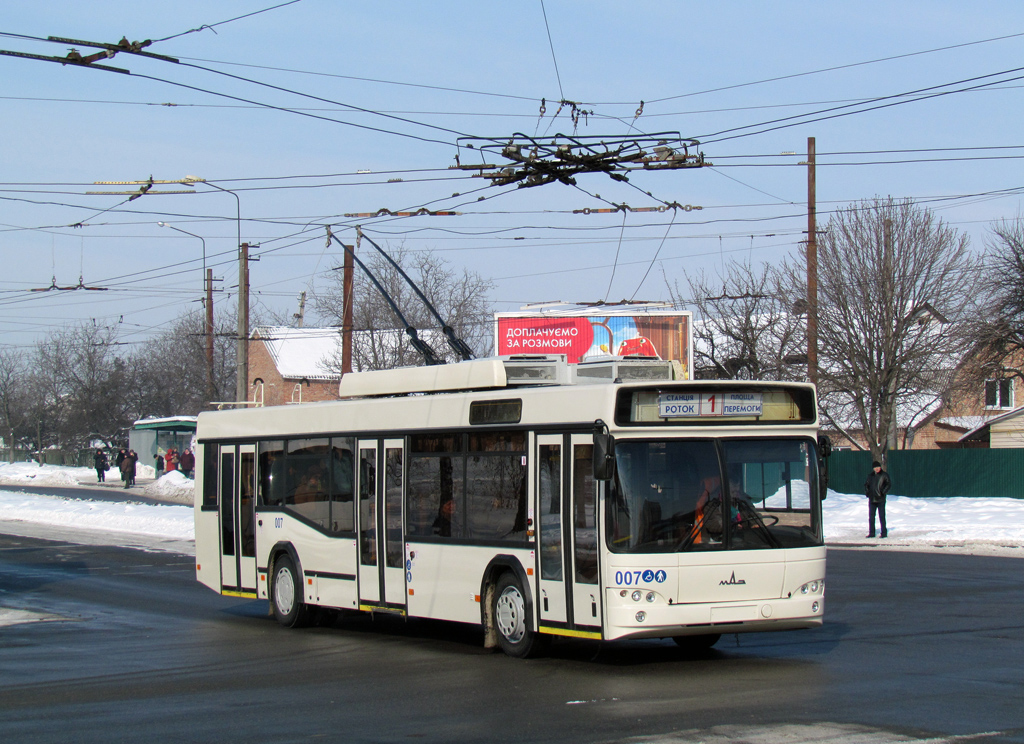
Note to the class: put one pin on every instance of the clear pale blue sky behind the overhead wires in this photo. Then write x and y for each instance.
(477, 69)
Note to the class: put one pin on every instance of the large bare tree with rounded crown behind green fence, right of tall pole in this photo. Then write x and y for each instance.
(894, 288)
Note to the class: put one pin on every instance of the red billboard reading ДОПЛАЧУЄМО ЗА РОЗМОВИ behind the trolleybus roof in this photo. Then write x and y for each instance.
(598, 332)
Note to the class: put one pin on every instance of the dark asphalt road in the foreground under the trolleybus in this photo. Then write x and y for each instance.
(115, 645)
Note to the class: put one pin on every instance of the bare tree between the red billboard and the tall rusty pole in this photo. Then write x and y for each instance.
(746, 327)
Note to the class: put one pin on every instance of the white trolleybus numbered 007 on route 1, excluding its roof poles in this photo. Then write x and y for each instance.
(526, 496)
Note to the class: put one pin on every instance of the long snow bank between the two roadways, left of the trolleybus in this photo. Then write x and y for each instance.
(144, 519)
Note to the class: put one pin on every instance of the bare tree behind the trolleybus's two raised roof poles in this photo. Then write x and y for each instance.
(460, 297)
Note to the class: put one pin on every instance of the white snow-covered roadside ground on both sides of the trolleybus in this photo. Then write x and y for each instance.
(980, 527)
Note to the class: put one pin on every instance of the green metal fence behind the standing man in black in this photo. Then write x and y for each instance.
(935, 472)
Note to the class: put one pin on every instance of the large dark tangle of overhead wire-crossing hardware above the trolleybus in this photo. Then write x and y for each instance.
(542, 160)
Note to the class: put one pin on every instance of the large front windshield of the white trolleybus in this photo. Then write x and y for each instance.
(681, 496)
